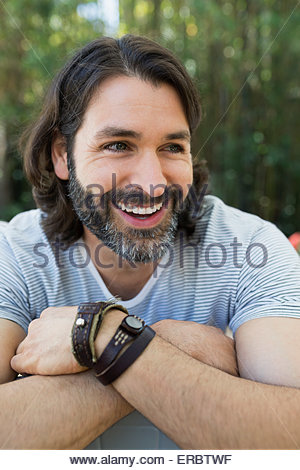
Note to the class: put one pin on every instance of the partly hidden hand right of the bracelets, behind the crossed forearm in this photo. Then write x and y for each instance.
(204, 343)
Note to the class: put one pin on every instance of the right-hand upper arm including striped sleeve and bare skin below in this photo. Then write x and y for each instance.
(266, 319)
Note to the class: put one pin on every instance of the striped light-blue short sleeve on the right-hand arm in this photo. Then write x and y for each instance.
(269, 281)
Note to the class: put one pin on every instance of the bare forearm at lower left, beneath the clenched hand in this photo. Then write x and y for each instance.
(57, 412)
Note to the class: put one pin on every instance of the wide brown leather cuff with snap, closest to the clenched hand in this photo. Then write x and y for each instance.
(85, 329)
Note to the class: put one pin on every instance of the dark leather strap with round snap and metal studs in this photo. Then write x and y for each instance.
(130, 327)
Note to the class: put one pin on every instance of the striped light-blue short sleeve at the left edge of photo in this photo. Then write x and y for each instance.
(14, 299)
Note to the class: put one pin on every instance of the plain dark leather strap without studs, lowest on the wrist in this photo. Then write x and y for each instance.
(128, 357)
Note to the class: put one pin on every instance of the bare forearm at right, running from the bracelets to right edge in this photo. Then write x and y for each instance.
(203, 408)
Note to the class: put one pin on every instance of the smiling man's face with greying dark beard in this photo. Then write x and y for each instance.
(134, 145)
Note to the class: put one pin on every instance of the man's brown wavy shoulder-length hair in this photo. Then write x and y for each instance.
(63, 111)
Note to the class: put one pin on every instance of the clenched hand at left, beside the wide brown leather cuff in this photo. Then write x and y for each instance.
(47, 349)
